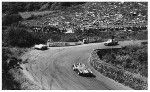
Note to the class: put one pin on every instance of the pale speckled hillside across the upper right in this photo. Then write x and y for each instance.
(95, 15)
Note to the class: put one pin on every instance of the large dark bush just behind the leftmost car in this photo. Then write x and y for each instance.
(20, 37)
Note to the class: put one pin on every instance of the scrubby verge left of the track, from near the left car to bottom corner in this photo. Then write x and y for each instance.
(12, 77)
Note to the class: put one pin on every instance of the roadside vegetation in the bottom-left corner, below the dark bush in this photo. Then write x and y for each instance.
(14, 79)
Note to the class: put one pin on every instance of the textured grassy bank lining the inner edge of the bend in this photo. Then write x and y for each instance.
(118, 74)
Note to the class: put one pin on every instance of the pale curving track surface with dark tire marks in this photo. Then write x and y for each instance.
(52, 68)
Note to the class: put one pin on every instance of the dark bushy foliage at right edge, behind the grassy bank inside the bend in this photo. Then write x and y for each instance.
(131, 58)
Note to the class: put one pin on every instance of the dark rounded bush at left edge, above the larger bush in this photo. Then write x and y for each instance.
(9, 19)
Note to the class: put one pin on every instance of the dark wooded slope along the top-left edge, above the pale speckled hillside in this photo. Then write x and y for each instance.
(15, 7)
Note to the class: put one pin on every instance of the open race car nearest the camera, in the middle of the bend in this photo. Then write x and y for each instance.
(82, 70)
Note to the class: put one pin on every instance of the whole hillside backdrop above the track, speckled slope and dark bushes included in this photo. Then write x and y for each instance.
(99, 17)
